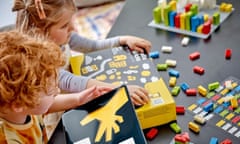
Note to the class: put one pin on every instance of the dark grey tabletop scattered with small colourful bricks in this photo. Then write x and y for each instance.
(134, 19)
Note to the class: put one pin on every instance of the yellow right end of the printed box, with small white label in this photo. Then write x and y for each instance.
(161, 109)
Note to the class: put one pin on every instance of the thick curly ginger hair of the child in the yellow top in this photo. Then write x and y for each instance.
(28, 66)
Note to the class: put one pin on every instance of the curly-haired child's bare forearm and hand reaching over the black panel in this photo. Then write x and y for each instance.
(64, 102)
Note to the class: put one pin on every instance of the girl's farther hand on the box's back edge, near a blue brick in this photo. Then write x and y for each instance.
(136, 43)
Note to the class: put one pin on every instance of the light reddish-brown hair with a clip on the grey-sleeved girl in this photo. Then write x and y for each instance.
(28, 16)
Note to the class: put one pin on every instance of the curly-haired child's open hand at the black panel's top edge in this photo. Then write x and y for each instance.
(92, 93)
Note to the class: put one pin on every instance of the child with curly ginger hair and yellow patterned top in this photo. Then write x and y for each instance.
(29, 87)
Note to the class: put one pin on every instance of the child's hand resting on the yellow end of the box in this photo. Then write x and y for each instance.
(139, 95)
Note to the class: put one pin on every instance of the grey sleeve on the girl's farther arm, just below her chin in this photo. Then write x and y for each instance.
(81, 44)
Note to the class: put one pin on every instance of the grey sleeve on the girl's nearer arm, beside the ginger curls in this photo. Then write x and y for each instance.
(70, 82)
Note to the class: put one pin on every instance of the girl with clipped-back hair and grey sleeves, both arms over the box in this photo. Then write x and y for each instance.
(53, 19)
